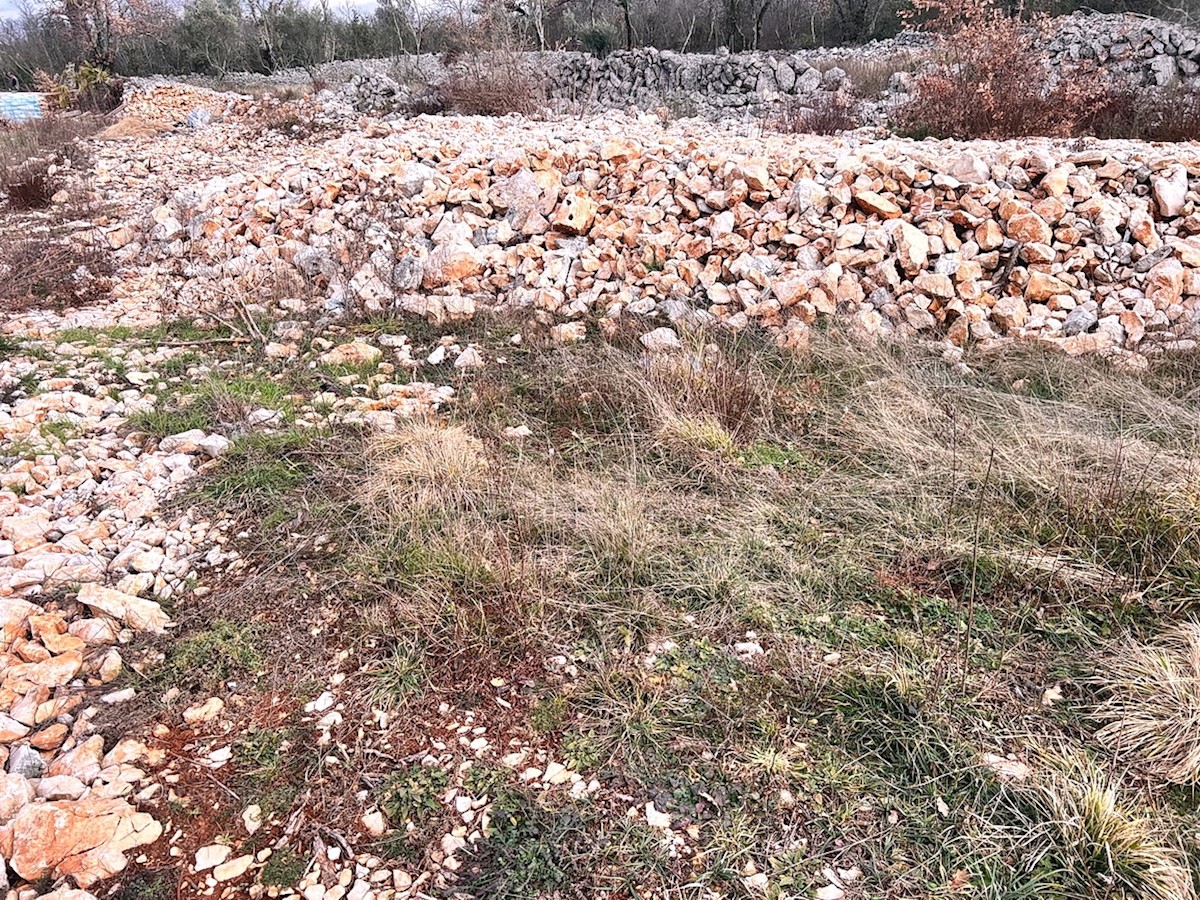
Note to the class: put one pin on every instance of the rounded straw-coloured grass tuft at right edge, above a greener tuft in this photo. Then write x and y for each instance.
(1153, 705)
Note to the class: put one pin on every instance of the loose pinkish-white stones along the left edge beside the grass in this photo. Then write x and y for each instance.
(87, 554)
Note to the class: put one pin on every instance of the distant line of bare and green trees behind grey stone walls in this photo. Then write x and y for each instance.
(220, 37)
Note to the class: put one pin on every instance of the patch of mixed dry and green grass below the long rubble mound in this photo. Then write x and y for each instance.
(853, 610)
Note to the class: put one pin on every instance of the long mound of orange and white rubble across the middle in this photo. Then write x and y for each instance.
(1095, 249)
